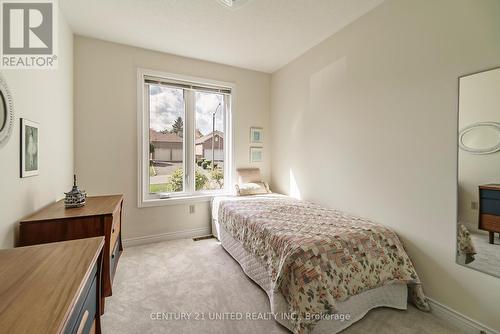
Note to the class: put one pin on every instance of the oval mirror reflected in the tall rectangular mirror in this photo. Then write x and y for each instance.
(480, 138)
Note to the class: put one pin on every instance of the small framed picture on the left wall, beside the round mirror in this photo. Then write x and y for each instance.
(30, 156)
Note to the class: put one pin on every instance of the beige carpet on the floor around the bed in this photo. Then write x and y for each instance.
(200, 277)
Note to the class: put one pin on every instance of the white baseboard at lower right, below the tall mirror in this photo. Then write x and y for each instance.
(459, 320)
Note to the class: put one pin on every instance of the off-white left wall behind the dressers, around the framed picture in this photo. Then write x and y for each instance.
(46, 97)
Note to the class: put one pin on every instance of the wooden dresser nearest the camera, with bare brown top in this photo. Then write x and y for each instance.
(51, 288)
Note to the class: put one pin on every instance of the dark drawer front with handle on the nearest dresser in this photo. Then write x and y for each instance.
(82, 319)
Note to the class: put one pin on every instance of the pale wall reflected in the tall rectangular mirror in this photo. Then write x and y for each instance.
(479, 102)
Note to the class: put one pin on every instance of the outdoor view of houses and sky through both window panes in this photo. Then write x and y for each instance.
(168, 144)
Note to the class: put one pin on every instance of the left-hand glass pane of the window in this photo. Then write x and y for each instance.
(166, 139)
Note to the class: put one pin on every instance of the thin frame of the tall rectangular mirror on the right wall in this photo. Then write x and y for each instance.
(458, 147)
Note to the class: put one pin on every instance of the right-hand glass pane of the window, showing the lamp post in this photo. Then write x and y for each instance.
(209, 141)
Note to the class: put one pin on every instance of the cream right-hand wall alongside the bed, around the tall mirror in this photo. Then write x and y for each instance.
(366, 122)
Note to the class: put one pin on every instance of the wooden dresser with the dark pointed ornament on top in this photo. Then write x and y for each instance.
(101, 216)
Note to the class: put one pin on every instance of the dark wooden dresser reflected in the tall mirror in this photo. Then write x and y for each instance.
(489, 209)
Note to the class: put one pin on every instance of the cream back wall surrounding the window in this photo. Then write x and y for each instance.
(106, 126)
